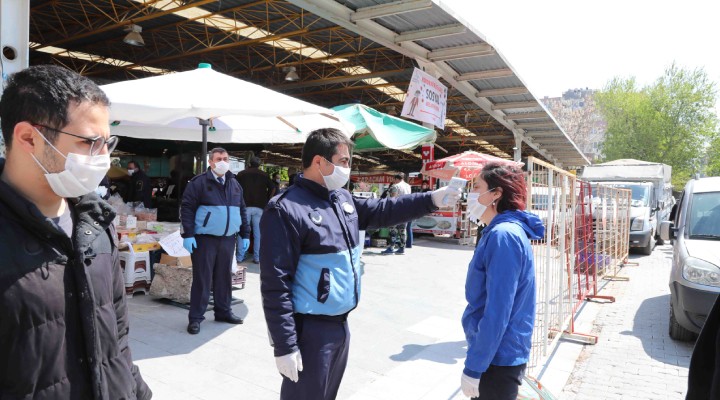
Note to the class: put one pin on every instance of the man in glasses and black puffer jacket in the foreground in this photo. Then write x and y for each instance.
(63, 316)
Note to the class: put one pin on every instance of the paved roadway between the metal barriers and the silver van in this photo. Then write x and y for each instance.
(634, 358)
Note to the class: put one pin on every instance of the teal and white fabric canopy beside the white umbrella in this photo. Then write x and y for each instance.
(378, 131)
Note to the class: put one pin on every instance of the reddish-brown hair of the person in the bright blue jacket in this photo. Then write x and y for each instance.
(512, 182)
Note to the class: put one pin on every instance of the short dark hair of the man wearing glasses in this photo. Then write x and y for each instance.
(42, 94)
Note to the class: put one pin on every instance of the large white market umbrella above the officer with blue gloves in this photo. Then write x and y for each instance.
(166, 107)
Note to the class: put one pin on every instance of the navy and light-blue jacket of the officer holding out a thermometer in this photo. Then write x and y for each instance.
(310, 251)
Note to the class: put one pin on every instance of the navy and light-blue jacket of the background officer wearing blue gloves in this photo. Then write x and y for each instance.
(209, 208)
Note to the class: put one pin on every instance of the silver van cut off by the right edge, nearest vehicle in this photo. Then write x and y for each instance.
(695, 274)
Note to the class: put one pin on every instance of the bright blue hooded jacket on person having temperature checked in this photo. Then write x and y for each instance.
(500, 291)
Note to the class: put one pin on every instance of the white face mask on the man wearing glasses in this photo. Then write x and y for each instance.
(81, 176)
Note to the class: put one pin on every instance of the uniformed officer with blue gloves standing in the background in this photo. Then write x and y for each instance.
(212, 214)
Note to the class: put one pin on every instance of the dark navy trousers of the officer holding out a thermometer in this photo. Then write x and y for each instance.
(324, 347)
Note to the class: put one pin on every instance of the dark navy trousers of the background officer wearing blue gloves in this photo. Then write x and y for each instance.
(212, 261)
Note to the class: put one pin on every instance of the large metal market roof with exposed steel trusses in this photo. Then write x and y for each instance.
(343, 52)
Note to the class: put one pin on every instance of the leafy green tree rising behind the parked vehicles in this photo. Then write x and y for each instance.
(672, 121)
